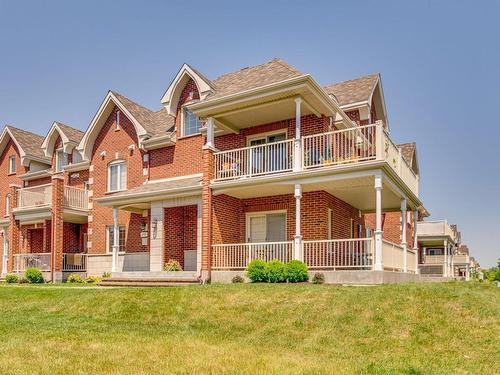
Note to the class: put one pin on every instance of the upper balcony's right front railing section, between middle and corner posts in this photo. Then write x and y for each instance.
(339, 147)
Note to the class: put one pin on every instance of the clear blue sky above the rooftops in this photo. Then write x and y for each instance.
(439, 64)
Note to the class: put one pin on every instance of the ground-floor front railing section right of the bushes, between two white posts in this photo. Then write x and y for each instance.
(339, 254)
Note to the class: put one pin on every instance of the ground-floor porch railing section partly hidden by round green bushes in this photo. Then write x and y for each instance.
(238, 256)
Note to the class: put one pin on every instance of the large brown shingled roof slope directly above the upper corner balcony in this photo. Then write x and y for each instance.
(248, 78)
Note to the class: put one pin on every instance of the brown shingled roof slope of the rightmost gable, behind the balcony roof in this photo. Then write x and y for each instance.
(354, 90)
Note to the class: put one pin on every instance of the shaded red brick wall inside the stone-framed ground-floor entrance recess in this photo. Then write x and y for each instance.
(180, 229)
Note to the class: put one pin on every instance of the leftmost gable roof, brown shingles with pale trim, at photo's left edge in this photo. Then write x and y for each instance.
(28, 143)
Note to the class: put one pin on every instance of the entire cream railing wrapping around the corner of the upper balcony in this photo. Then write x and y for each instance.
(355, 146)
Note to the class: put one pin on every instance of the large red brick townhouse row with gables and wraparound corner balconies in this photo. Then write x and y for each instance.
(261, 163)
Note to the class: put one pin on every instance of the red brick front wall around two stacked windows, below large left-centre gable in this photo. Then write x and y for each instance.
(115, 142)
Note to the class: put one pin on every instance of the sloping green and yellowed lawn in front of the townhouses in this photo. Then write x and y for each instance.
(250, 329)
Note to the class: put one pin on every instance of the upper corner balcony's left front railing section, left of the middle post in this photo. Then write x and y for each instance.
(254, 160)
